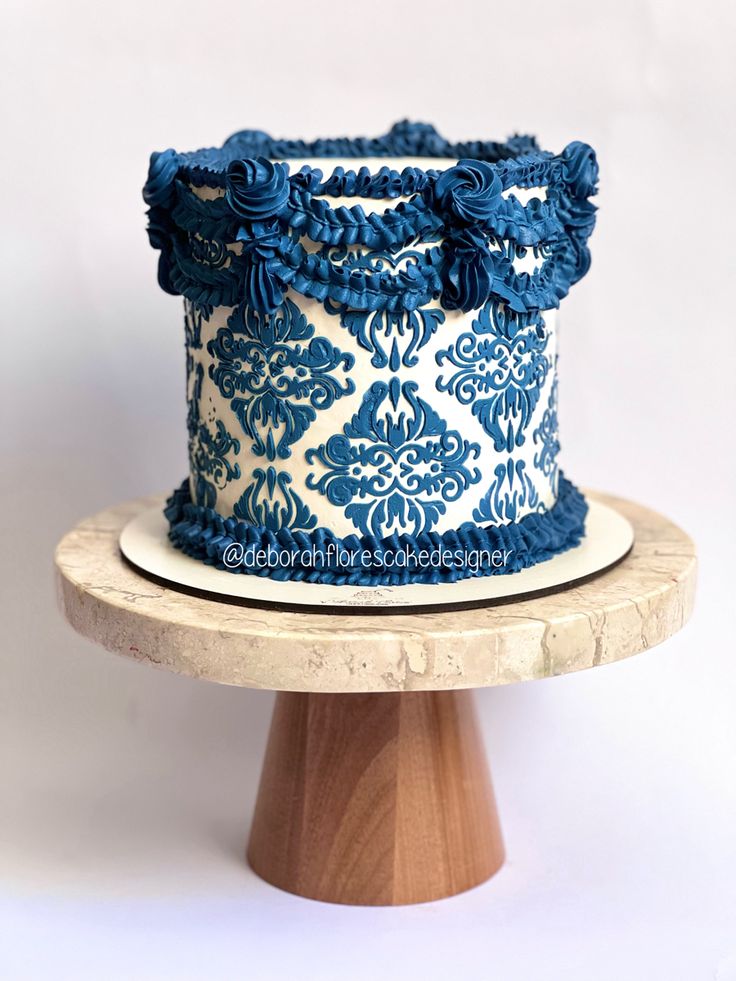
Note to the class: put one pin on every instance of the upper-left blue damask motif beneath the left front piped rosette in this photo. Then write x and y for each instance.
(277, 374)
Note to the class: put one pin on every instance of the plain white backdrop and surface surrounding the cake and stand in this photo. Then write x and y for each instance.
(125, 794)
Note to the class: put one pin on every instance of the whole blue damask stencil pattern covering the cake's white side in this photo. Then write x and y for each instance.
(395, 465)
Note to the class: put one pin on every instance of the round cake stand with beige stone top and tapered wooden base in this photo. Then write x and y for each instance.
(375, 788)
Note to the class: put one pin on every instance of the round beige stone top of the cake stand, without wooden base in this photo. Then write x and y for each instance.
(639, 603)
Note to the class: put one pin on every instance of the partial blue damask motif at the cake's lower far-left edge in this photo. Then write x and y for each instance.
(208, 450)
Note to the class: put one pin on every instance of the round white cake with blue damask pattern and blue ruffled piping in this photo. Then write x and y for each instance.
(371, 350)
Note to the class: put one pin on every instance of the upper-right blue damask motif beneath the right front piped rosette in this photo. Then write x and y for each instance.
(501, 369)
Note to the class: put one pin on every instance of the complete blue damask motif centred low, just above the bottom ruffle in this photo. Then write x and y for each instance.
(396, 464)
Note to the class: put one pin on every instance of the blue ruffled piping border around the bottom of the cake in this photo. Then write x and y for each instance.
(321, 556)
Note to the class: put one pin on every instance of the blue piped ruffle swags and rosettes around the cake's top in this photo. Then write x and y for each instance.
(269, 210)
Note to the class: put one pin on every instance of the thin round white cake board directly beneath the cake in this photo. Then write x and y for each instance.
(144, 543)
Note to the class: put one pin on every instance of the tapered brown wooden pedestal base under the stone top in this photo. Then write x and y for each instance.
(375, 799)
